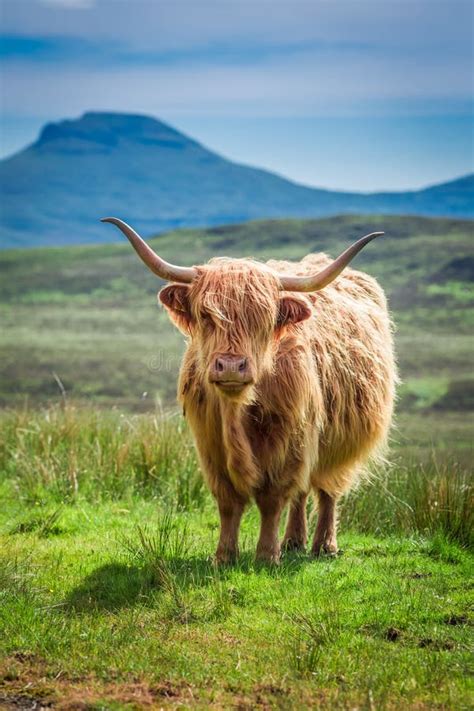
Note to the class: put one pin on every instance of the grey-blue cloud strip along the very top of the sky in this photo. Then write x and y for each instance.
(411, 25)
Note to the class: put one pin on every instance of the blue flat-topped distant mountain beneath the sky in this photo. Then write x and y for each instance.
(144, 171)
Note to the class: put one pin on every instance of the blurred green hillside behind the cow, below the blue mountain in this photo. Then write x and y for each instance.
(87, 316)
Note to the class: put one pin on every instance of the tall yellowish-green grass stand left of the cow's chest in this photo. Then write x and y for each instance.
(72, 452)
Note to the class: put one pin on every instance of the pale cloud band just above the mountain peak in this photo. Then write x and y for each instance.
(305, 84)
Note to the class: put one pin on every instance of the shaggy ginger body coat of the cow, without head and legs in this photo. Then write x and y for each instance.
(322, 414)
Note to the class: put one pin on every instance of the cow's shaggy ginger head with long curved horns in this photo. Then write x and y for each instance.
(235, 310)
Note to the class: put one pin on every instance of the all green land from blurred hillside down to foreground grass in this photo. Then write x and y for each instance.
(108, 595)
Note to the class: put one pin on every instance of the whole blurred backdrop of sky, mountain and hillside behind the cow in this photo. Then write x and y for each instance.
(239, 128)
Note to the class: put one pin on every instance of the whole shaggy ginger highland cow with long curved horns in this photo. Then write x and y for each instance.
(287, 383)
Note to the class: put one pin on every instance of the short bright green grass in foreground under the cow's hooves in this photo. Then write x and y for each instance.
(126, 596)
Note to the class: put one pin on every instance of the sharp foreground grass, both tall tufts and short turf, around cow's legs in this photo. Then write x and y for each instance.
(110, 600)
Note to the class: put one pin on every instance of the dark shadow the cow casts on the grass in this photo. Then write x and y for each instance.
(118, 584)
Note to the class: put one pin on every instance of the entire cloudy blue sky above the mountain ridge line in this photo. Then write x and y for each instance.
(347, 94)
